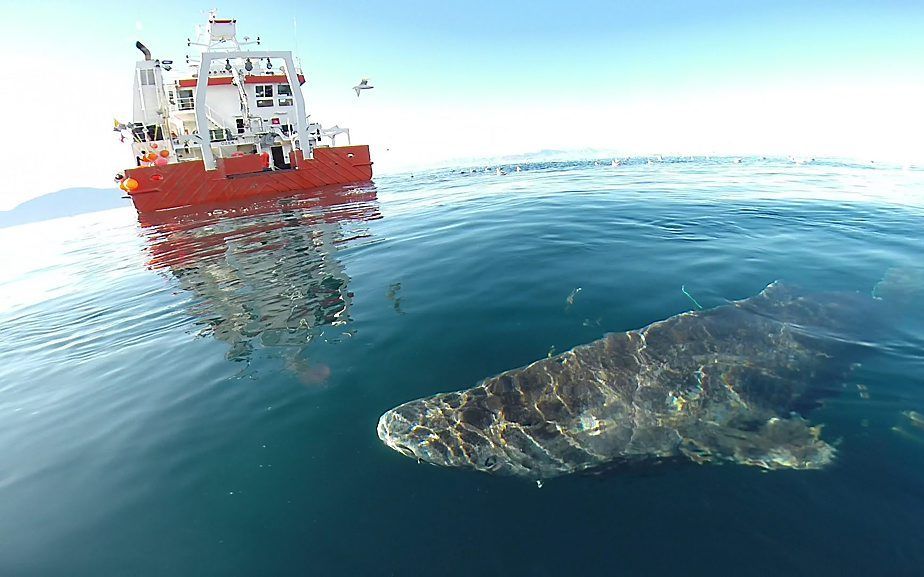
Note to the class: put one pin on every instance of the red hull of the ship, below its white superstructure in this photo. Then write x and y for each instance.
(188, 183)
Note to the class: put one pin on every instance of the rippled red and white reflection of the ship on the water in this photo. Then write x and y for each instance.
(266, 275)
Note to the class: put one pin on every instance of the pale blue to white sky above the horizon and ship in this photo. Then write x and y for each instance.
(464, 80)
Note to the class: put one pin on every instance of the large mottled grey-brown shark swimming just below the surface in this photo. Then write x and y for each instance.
(723, 384)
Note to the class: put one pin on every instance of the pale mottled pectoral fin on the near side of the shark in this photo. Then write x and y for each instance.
(778, 443)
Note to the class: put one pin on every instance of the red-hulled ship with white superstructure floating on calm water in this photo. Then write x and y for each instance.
(233, 127)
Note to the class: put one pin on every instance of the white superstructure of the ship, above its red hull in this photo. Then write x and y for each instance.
(227, 101)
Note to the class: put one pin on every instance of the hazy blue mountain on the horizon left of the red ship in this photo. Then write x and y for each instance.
(67, 202)
